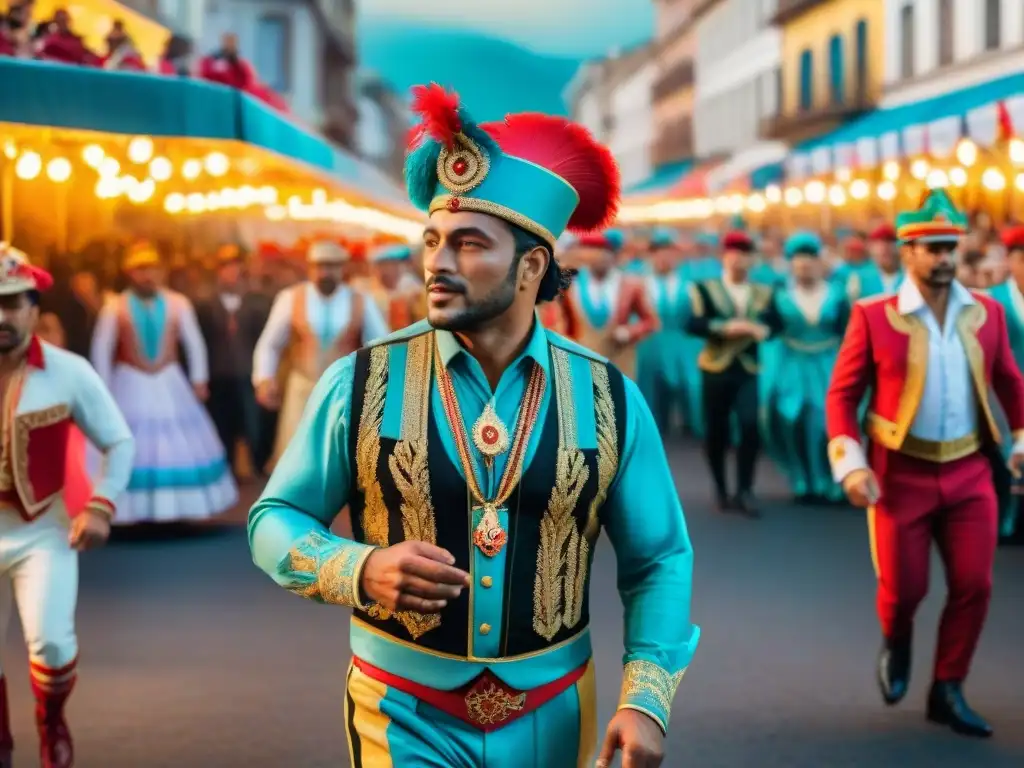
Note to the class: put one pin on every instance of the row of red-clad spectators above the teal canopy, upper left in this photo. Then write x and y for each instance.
(56, 40)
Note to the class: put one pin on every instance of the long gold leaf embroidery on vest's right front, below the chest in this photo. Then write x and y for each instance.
(558, 559)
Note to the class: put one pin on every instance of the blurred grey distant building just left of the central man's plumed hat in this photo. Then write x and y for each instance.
(383, 127)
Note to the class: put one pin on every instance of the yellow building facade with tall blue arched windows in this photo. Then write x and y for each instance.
(832, 65)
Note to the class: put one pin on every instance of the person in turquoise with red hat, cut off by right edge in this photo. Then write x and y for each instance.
(1011, 294)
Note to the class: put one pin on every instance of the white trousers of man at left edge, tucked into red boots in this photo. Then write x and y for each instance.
(39, 570)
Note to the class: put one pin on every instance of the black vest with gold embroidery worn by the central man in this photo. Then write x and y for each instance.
(409, 489)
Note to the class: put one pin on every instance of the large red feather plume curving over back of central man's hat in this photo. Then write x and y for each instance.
(567, 150)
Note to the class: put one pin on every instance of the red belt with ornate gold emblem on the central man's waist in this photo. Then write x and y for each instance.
(486, 704)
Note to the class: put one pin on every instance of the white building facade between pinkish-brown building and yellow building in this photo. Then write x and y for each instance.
(739, 86)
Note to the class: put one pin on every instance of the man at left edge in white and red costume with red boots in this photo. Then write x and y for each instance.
(48, 393)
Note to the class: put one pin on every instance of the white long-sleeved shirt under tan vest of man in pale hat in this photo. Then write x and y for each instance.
(328, 316)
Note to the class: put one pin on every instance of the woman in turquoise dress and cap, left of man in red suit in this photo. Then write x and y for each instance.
(813, 314)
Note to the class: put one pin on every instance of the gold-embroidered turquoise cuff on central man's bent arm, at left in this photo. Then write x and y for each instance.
(326, 569)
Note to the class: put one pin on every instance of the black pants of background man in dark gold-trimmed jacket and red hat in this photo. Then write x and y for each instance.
(735, 392)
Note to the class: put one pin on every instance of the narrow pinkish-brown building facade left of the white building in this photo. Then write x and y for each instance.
(672, 95)
